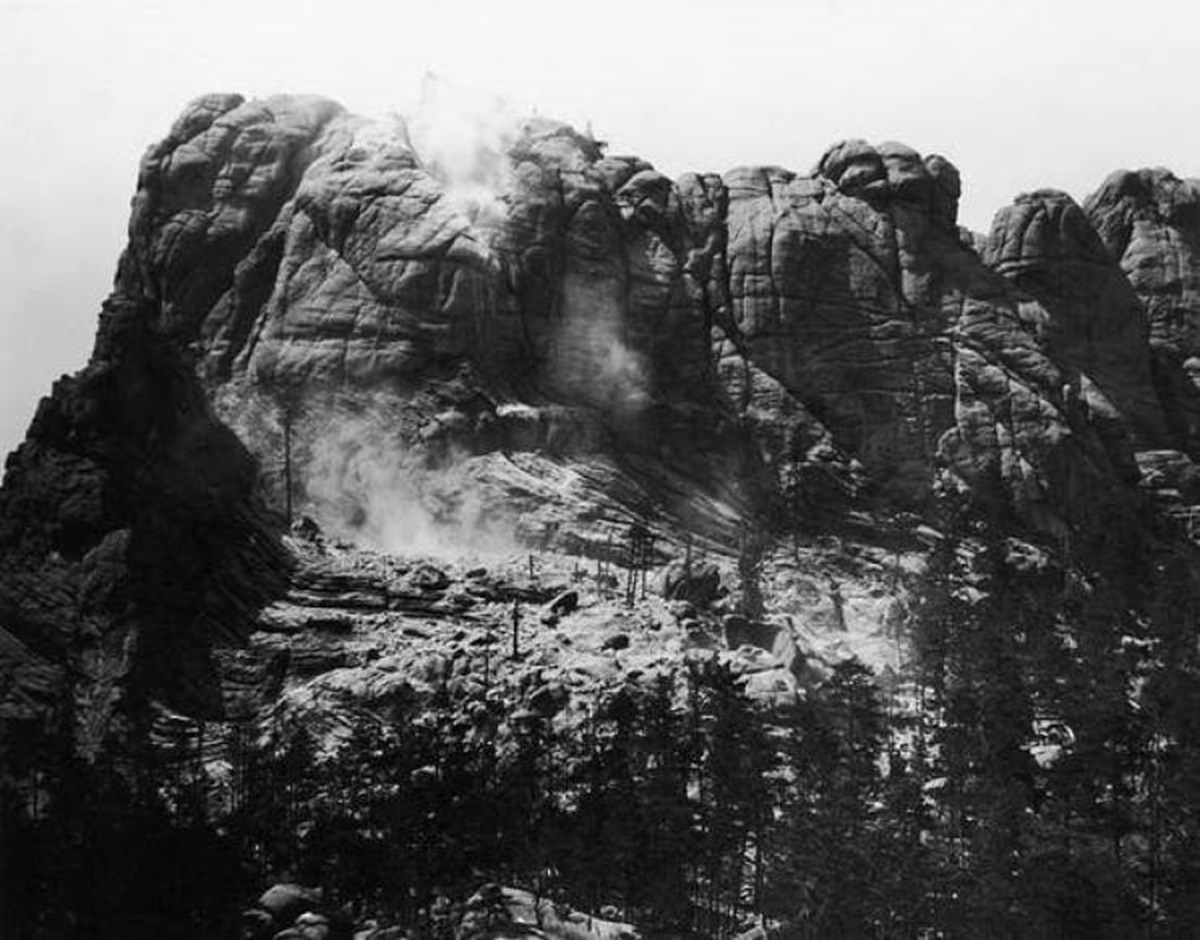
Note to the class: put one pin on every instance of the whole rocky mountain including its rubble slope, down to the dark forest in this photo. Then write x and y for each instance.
(814, 388)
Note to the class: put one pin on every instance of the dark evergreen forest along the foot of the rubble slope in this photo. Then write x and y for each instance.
(1033, 775)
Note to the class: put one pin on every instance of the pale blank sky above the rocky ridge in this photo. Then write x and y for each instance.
(1019, 94)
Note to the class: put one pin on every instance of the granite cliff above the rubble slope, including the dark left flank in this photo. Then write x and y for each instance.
(315, 314)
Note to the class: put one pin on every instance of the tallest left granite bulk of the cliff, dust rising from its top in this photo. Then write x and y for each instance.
(296, 246)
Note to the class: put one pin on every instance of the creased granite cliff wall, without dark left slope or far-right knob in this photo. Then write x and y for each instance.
(839, 314)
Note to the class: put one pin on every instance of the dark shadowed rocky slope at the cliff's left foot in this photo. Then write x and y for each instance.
(131, 541)
